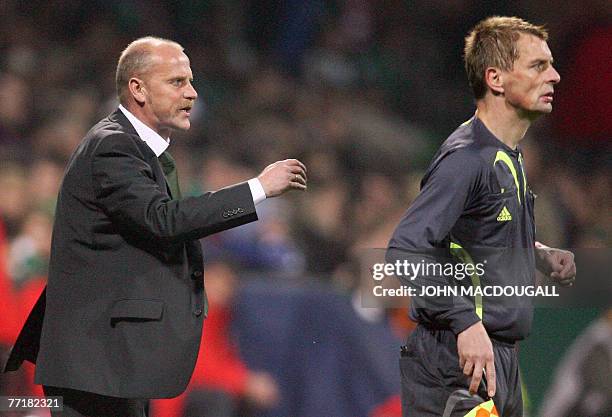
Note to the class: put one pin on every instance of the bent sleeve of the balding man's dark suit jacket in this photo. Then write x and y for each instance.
(126, 189)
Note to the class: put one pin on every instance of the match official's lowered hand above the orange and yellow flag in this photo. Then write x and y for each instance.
(475, 353)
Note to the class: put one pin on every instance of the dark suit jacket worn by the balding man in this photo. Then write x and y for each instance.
(124, 304)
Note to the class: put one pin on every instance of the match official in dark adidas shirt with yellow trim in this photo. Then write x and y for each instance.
(475, 194)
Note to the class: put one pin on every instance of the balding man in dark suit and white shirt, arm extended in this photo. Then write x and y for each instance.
(121, 318)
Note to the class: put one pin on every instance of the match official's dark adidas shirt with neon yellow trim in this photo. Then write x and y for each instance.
(474, 205)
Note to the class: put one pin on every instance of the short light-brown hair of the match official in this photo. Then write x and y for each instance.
(492, 43)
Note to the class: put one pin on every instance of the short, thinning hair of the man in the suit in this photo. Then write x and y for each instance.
(135, 60)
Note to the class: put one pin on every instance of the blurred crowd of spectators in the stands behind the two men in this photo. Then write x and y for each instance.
(361, 91)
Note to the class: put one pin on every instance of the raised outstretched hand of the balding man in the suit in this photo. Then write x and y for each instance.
(283, 176)
